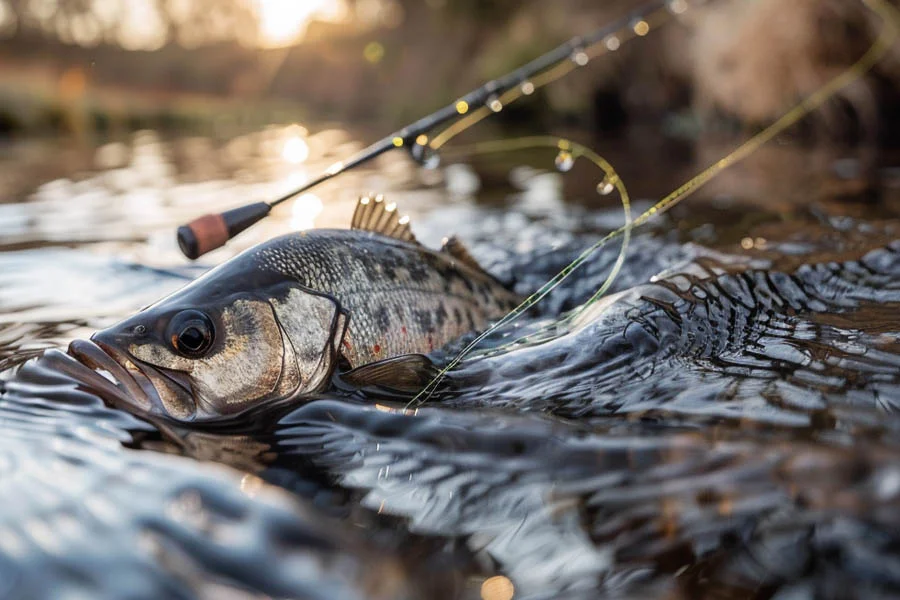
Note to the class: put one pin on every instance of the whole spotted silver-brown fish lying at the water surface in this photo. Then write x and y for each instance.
(293, 315)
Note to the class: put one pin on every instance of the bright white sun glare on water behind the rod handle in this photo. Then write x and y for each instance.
(147, 187)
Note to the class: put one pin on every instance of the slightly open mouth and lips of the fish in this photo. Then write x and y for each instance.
(135, 380)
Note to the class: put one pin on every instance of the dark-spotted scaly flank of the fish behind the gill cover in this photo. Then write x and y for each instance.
(429, 297)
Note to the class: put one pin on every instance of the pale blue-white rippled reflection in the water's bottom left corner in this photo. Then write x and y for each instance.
(85, 515)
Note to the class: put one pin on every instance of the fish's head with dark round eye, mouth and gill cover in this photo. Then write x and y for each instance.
(223, 345)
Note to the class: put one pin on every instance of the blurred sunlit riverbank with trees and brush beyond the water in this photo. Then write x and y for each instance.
(101, 66)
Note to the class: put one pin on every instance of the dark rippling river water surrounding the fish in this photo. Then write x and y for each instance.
(721, 424)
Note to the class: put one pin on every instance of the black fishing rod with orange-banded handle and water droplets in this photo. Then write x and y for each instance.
(212, 231)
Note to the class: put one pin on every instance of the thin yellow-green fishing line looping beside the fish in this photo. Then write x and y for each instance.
(878, 49)
